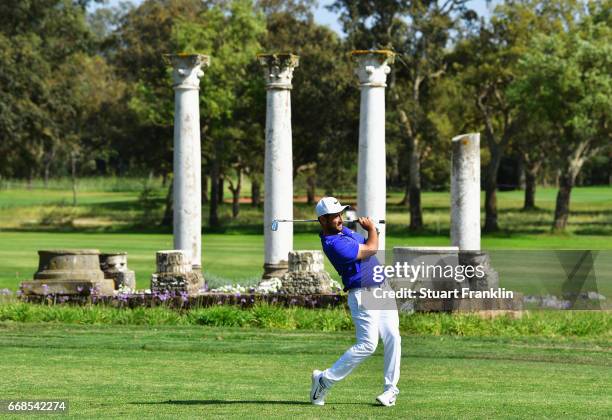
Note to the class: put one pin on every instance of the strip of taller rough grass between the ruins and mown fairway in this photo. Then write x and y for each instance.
(592, 324)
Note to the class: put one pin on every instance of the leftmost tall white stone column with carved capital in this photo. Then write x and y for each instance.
(187, 188)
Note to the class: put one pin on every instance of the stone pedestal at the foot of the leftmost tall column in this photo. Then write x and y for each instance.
(175, 274)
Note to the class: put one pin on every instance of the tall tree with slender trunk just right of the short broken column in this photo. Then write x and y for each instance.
(486, 62)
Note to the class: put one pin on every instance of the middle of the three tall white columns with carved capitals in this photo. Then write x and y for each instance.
(278, 169)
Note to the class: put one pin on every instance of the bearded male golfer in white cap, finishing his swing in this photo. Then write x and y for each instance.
(353, 257)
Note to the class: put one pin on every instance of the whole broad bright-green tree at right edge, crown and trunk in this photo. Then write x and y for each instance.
(566, 81)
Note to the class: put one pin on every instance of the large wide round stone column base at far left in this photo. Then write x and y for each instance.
(71, 271)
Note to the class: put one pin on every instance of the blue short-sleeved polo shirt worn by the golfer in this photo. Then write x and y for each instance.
(342, 249)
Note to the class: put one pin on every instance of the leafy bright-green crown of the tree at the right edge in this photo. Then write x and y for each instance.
(565, 79)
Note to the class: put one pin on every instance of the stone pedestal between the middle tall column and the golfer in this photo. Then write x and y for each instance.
(306, 275)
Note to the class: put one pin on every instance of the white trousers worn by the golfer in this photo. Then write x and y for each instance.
(369, 326)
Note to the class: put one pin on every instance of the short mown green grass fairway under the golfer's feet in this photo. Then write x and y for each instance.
(196, 372)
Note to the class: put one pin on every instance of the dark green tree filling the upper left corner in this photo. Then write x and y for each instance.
(36, 38)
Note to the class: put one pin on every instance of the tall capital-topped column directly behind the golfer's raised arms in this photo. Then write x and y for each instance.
(372, 69)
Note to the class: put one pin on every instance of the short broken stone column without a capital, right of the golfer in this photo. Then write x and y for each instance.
(465, 192)
